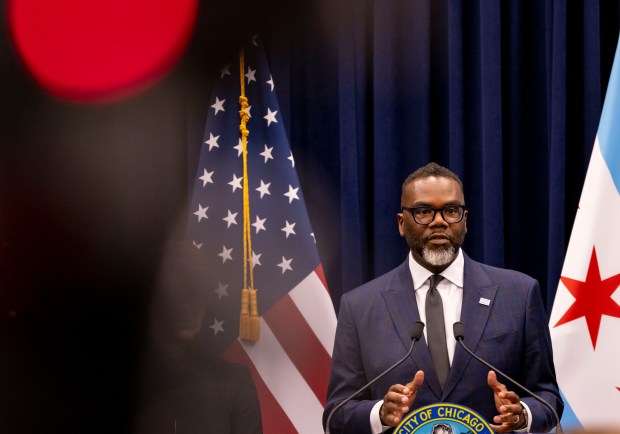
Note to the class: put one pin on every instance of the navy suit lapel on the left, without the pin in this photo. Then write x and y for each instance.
(400, 299)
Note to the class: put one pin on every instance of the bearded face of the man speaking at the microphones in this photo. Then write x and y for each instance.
(435, 245)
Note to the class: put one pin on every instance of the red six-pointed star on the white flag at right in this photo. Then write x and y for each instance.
(592, 298)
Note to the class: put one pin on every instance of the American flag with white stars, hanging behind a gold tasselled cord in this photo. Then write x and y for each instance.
(291, 360)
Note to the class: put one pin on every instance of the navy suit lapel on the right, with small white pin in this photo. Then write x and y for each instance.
(478, 296)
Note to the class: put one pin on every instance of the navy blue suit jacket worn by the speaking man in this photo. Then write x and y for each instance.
(511, 333)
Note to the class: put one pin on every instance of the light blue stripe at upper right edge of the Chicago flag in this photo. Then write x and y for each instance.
(609, 127)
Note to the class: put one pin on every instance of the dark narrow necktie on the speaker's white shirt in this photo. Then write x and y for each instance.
(436, 331)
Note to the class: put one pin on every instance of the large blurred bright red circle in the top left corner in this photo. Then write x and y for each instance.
(100, 49)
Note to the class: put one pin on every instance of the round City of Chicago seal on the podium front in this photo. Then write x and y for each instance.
(443, 418)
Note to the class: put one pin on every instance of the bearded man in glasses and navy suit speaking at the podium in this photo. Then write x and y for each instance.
(502, 313)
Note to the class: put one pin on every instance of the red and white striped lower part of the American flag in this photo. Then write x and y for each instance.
(291, 360)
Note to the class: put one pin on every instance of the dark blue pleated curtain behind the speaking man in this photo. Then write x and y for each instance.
(507, 94)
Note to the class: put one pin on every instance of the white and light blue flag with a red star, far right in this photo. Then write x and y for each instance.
(585, 320)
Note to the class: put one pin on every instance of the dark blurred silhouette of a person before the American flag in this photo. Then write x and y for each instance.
(185, 387)
